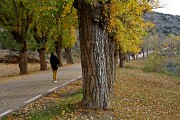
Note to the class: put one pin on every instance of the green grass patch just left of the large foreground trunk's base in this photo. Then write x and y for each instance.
(59, 109)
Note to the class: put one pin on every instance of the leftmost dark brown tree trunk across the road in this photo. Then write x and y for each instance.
(23, 59)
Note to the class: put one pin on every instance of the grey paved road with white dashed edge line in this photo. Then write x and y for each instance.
(21, 90)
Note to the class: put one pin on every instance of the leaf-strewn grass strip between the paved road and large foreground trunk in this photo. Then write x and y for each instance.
(61, 104)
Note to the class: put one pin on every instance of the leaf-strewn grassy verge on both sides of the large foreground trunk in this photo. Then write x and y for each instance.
(137, 95)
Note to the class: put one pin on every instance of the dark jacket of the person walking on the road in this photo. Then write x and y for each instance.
(54, 62)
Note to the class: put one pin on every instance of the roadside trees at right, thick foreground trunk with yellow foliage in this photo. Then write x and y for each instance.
(106, 25)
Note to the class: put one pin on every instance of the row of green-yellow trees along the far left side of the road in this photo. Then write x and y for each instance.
(39, 24)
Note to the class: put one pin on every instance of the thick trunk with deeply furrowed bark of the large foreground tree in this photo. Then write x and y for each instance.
(94, 53)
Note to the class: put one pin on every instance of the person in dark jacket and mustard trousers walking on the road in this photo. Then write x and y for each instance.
(54, 65)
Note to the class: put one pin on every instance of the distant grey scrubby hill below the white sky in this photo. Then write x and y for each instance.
(165, 23)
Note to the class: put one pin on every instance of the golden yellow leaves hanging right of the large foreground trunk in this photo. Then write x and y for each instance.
(128, 24)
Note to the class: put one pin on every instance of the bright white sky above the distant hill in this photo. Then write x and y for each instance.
(170, 7)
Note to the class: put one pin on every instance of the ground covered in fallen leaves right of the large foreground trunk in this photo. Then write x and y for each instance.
(140, 95)
